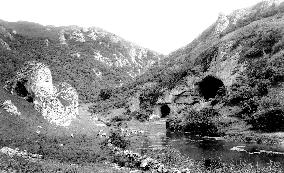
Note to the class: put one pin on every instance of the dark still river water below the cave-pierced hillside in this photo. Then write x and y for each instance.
(211, 150)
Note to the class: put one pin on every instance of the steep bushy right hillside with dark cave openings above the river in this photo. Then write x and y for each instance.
(235, 67)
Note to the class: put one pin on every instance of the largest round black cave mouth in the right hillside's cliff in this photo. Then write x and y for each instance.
(210, 87)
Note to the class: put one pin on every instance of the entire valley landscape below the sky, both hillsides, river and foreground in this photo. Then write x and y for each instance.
(76, 99)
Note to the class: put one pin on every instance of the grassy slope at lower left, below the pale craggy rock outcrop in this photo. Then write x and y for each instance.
(82, 152)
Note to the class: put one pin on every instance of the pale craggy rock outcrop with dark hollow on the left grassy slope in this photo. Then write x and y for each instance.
(58, 103)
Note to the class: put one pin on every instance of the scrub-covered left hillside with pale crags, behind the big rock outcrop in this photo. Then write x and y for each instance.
(90, 59)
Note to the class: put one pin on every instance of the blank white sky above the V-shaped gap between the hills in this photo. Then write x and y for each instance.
(160, 25)
